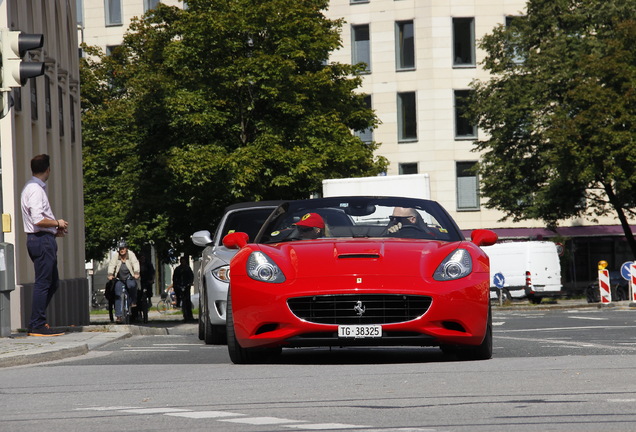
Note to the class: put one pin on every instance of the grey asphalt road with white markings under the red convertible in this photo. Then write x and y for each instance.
(563, 370)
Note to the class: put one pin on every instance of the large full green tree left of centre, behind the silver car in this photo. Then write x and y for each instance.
(222, 102)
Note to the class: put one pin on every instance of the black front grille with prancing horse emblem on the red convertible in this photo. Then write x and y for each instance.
(347, 308)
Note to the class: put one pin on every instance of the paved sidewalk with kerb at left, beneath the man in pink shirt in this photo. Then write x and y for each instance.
(20, 349)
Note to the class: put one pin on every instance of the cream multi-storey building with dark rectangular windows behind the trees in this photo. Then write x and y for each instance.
(421, 57)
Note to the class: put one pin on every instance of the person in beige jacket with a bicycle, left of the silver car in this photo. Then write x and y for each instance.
(125, 267)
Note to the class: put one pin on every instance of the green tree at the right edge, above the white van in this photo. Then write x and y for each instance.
(559, 112)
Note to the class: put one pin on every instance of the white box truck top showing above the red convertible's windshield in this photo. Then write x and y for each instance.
(407, 185)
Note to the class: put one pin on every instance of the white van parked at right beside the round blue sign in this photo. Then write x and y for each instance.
(530, 268)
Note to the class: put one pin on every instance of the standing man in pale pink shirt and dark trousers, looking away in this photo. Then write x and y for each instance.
(41, 228)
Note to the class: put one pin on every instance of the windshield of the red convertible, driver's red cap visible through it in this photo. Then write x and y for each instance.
(353, 217)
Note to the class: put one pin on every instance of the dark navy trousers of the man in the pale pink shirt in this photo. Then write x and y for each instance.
(42, 249)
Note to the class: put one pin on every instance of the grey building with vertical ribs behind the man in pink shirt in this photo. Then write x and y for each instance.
(45, 118)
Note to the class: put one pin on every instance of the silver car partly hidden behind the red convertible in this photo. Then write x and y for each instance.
(213, 275)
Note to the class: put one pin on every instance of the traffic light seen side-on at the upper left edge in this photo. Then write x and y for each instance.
(16, 72)
